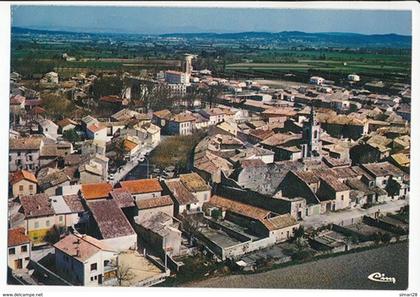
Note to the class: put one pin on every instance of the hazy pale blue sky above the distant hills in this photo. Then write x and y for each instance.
(176, 20)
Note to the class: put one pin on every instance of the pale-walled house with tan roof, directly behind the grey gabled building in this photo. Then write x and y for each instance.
(150, 206)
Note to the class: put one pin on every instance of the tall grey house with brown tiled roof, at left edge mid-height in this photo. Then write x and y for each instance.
(24, 153)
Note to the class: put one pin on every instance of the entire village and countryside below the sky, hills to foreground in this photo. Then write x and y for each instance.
(201, 160)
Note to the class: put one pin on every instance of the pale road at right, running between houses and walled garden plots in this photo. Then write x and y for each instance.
(337, 217)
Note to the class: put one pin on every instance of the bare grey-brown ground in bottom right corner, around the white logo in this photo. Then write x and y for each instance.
(348, 271)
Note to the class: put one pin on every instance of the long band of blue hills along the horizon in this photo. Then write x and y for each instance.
(297, 37)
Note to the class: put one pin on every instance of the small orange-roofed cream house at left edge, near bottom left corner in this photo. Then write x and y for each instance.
(18, 249)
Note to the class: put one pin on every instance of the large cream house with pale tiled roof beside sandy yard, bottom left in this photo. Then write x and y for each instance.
(84, 260)
